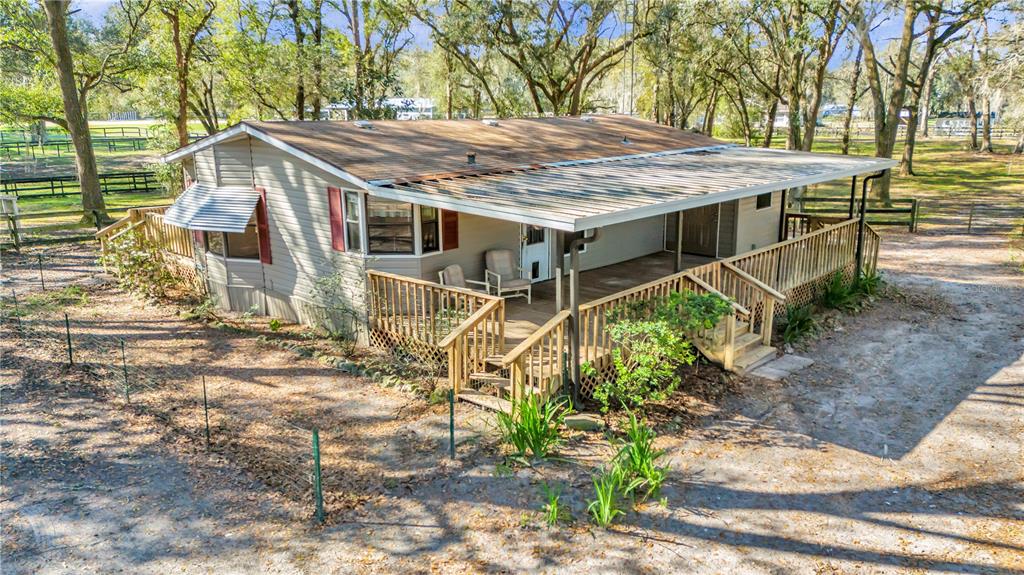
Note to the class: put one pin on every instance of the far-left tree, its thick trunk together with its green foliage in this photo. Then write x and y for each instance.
(78, 60)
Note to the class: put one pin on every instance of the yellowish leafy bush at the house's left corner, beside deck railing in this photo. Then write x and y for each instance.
(139, 266)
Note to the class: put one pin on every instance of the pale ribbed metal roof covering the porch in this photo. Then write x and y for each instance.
(578, 196)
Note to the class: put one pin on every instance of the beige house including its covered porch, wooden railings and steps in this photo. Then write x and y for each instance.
(383, 207)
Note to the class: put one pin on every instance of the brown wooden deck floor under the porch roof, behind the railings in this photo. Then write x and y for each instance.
(522, 320)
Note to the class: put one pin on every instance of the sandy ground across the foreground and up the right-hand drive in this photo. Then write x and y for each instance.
(901, 451)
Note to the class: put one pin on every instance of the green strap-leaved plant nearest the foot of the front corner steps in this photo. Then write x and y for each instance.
(533, 427)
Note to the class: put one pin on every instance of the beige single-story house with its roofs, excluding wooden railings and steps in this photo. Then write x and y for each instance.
(276, 207)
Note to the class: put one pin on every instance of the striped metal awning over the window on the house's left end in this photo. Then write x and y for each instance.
(212, 208)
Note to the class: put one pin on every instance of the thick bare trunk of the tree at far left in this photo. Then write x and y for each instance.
(94, 207)
